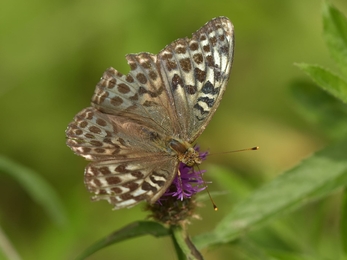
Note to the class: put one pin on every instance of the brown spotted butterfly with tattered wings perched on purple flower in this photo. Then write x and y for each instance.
(140, 126)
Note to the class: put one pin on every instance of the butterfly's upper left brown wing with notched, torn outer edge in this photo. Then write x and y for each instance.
(140, 95)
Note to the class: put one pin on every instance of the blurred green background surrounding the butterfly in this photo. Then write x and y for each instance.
(54, 52)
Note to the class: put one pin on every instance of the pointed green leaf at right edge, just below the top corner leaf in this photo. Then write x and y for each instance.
(327, 80)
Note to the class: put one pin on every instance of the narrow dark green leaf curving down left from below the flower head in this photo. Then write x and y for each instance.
(135, 229)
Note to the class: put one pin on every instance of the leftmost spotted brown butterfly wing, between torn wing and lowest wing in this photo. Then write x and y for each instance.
(98, 136)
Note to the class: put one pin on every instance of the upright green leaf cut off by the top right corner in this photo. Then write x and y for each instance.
(335, 34)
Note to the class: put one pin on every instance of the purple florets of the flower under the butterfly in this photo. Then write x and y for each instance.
(188, 183)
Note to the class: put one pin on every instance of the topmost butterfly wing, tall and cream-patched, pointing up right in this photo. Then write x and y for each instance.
(196, 71)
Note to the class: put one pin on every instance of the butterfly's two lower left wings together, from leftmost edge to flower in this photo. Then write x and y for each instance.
(130, 164)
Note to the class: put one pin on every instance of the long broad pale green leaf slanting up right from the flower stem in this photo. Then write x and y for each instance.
(315, 177)
